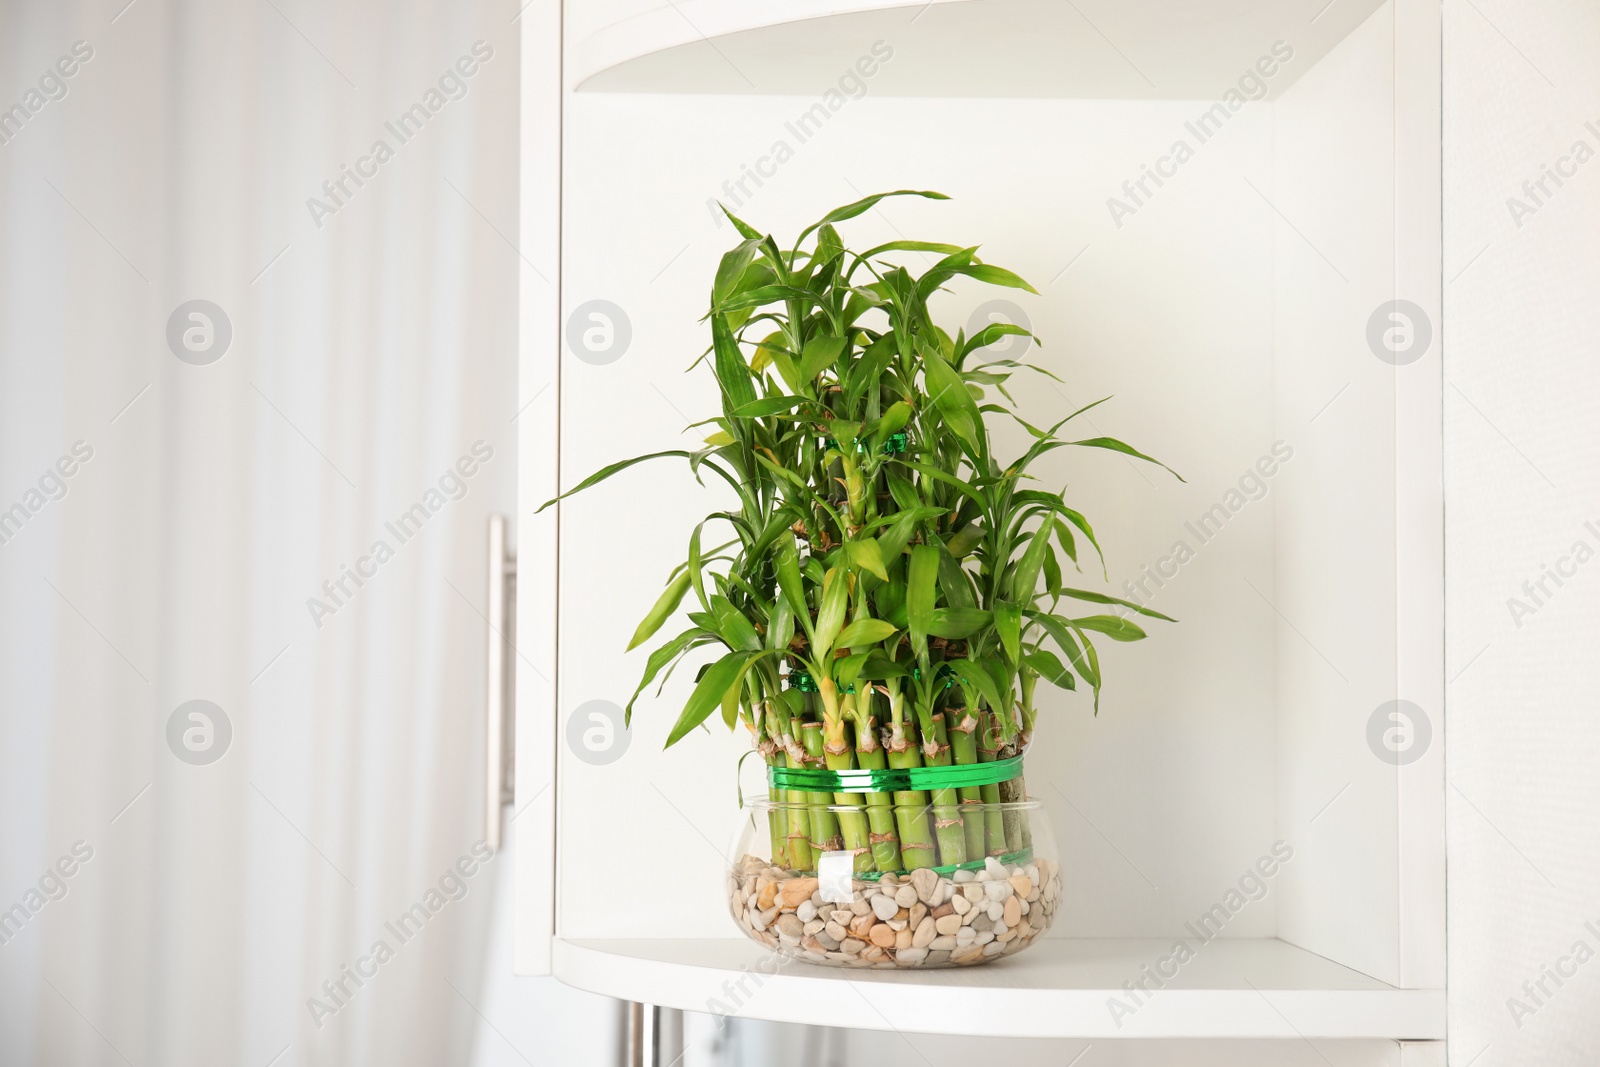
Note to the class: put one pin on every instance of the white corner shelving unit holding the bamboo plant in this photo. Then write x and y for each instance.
(1228, 310)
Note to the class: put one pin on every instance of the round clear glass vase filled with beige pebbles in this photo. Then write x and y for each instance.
(839, 911)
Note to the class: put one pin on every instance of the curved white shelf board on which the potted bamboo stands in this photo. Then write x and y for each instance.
(1057, 989)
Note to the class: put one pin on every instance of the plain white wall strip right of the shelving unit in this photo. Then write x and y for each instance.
(1522, 313)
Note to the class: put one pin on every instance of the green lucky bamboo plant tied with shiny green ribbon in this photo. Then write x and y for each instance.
(878, 549)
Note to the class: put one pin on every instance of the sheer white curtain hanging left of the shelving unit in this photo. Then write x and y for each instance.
(169, 522)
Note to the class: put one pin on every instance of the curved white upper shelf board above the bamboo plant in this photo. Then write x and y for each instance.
(986, 49)
